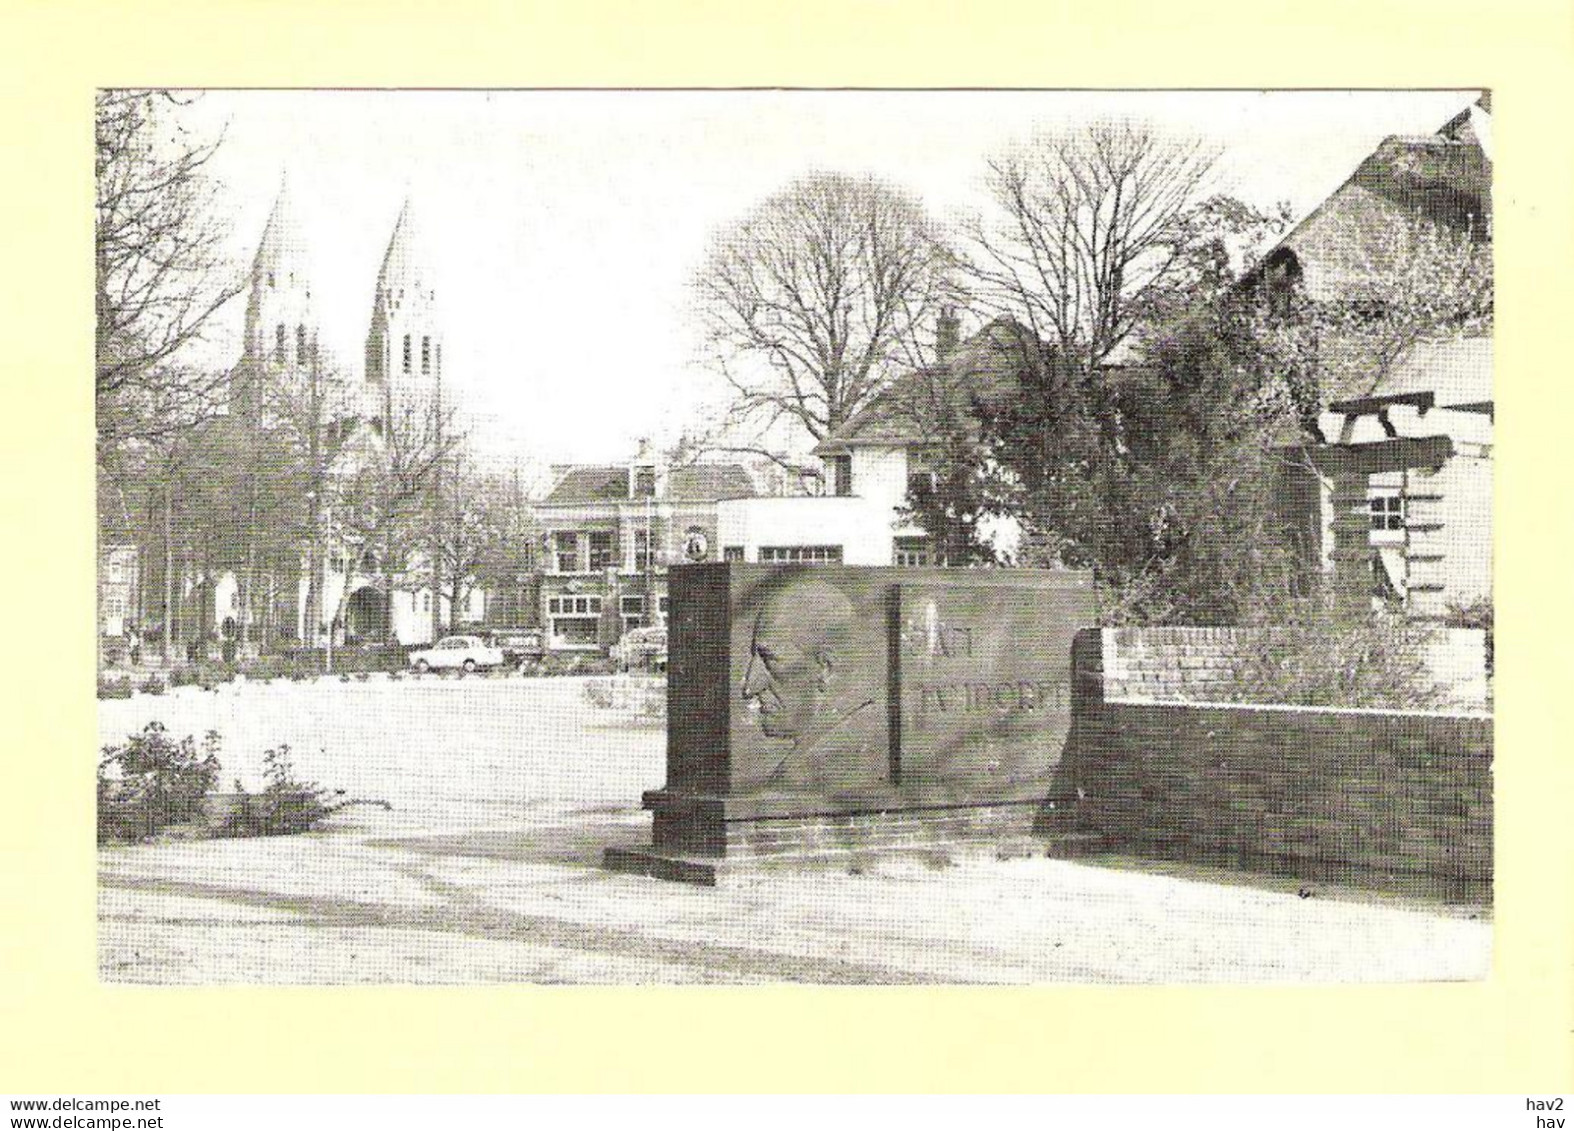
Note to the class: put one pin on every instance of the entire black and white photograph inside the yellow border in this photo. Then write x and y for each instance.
(851, 537)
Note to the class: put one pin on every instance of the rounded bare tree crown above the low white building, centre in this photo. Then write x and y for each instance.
(815, 301)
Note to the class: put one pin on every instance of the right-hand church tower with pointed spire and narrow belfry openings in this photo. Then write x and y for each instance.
(405, 342)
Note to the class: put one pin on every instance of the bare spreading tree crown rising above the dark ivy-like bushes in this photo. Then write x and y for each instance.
(1093, 232)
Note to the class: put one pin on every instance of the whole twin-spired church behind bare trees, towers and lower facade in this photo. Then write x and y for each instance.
(366, 443)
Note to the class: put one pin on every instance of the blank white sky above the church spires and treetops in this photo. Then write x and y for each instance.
(564, 227)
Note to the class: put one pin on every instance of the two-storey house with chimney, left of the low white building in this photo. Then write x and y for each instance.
(608, 534)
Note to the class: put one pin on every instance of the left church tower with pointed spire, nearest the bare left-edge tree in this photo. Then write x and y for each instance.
(281, 326)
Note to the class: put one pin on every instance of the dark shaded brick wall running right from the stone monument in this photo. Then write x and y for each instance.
(1340, 794)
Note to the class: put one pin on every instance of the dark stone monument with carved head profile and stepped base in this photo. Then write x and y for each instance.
(816, 710)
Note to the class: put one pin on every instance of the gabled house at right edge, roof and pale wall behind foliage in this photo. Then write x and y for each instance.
(1397, 499)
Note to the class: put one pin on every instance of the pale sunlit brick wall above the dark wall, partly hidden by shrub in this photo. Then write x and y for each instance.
(1199, 665)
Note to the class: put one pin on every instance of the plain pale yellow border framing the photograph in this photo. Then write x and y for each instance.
(64, 1033)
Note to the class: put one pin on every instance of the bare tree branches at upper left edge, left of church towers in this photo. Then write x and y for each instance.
(160, 271)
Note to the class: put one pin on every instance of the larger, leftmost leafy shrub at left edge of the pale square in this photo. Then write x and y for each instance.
(152, 783)
